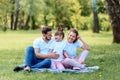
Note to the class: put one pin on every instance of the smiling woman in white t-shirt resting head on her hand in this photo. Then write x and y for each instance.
(72, 43)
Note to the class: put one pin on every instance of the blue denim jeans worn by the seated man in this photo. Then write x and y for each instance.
(33, 62)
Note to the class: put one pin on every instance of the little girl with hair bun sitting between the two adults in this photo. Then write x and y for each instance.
(57, 47)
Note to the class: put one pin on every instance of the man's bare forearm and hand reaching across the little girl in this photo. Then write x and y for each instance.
(43, 56)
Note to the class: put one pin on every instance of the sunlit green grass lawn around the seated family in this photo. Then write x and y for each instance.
(102, 53)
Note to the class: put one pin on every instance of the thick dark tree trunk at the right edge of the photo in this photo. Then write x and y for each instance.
(113, 8)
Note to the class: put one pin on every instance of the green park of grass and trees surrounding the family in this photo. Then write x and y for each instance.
(96, 20)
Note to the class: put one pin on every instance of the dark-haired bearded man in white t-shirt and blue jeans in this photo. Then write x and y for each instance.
(38, 56)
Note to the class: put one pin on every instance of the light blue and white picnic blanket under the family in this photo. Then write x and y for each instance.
(86, 69)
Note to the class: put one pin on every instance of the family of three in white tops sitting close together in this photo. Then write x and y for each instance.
(56, 53)
